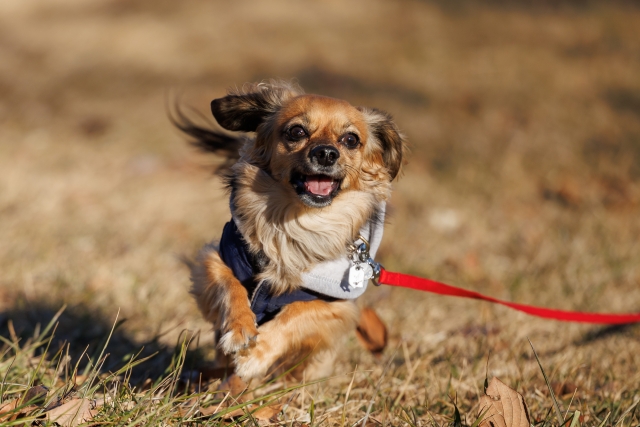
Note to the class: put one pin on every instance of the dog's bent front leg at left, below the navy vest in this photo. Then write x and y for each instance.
(223, 301)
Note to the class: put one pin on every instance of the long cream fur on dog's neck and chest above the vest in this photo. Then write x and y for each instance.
(290, 238)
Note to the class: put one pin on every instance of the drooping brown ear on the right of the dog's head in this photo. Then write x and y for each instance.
(384, 129)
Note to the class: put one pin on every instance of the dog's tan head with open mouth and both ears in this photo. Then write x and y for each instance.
(318, 146)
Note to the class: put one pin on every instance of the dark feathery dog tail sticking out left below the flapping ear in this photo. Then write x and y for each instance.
(210, 138)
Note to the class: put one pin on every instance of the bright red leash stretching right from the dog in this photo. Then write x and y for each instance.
(412, 282)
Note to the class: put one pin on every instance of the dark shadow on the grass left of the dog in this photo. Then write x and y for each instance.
(82, 332)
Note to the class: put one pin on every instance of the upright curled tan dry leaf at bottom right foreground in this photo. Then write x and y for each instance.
(502, 406)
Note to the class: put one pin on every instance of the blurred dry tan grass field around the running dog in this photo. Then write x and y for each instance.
(523, 183)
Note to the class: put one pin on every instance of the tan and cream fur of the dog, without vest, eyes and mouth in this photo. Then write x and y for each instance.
(291, 236)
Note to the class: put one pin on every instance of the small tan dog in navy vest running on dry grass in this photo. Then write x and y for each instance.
(308, 178)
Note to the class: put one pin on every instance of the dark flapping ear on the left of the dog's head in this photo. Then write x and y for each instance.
(244, 110)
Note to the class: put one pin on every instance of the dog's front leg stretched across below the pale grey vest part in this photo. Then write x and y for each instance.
(302, 328)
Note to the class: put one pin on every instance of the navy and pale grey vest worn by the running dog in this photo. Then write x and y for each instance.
(327, 281)
